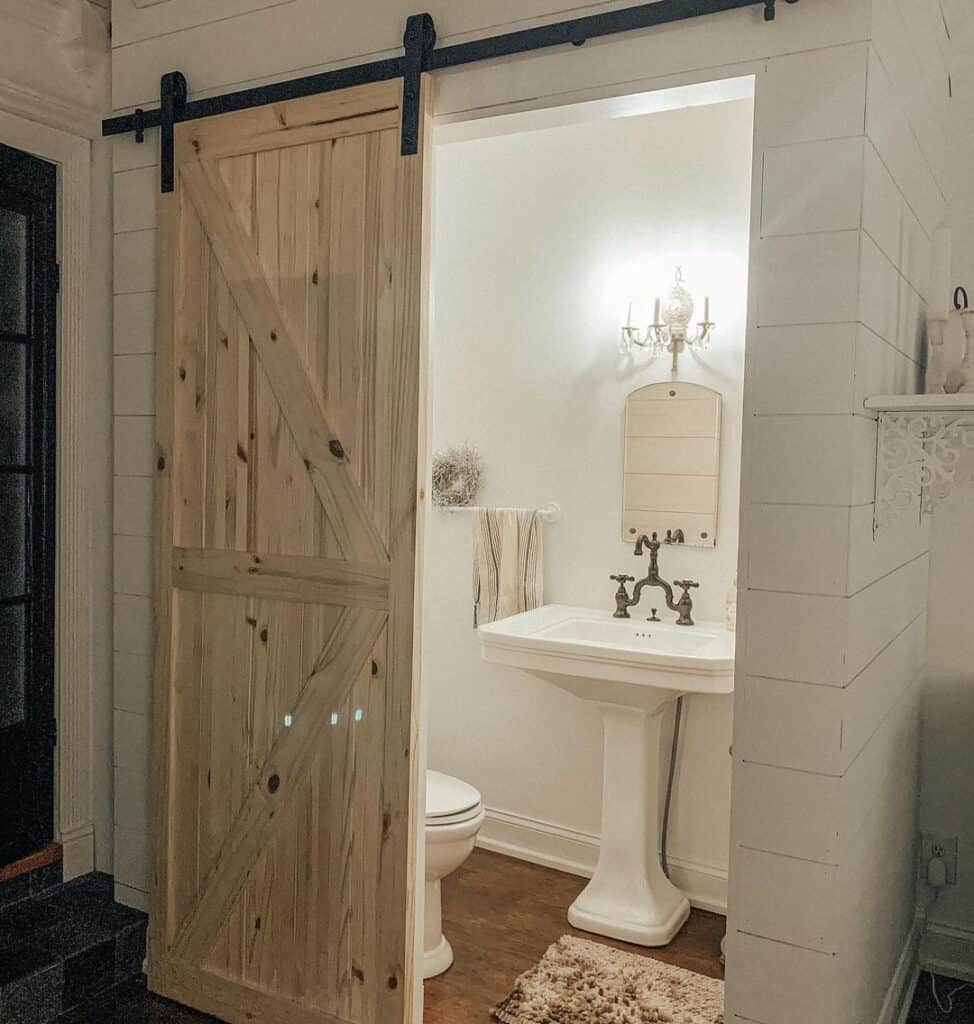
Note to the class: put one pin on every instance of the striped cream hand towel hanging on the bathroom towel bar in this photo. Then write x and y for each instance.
(509, 564)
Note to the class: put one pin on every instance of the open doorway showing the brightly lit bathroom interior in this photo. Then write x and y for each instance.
(578, 217)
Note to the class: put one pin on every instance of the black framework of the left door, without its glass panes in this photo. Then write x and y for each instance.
(29, 185)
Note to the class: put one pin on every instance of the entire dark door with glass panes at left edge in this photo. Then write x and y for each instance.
(28, 332)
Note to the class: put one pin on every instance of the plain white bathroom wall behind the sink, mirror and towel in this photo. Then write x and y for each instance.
(540, 240)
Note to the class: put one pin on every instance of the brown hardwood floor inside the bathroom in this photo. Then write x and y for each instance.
(501, 915)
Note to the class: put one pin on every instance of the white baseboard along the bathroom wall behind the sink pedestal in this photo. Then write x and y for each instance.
(576, 852)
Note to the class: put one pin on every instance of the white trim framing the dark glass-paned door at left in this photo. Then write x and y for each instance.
(74, 666)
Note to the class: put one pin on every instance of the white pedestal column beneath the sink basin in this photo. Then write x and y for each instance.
(629, 898)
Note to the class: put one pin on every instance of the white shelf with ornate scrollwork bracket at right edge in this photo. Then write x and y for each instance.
(921, 441)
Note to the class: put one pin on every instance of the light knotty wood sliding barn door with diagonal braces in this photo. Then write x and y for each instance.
(289, 422)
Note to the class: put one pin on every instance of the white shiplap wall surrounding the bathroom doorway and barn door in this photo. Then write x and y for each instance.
(832, 627)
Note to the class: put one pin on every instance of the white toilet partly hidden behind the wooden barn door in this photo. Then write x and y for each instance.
(454, 817)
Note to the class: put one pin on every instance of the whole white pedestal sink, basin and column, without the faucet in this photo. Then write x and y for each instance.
(631, 669)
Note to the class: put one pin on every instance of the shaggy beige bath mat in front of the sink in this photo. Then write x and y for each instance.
(580, 983)
